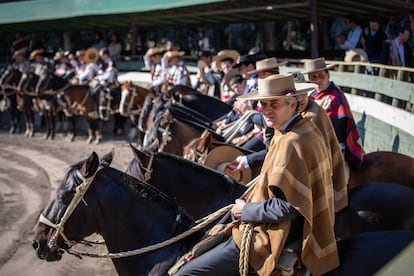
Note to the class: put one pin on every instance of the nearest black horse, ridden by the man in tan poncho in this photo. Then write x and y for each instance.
(132, 215)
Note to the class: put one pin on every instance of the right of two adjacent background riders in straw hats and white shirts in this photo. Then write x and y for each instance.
(177, 73)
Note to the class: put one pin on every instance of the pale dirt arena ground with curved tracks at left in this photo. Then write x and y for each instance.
(30, 171)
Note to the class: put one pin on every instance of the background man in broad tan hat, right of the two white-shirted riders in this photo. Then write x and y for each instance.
(224, 61)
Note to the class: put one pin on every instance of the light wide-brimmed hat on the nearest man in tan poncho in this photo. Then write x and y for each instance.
(277, 86)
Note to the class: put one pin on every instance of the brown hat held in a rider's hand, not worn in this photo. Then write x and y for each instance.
(221, 156)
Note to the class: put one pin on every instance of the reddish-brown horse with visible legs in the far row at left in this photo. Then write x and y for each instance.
(77, 100)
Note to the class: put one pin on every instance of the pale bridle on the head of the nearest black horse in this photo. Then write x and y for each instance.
(59, 227)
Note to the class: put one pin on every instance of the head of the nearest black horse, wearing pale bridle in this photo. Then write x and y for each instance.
(69, 217)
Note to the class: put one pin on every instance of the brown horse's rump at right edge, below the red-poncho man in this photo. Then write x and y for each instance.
(384, 166)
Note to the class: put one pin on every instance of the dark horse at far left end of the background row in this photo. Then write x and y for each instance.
(9, 81)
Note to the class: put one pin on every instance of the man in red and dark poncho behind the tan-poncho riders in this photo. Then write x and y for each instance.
(333, 100)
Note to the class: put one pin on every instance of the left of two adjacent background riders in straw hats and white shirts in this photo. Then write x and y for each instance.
(153, 60)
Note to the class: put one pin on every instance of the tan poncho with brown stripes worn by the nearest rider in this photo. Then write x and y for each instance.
(299, 164)
